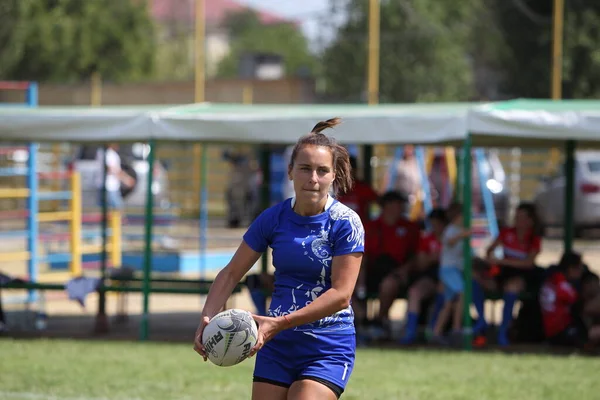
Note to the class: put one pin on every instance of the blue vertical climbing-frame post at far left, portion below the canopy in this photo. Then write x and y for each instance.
(32, 218)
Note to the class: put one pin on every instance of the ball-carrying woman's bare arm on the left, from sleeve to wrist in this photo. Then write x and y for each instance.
(226, 280)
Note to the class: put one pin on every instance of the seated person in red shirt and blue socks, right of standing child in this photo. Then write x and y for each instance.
(521, 245)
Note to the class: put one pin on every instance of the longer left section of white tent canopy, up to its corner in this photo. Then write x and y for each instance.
(280, 124)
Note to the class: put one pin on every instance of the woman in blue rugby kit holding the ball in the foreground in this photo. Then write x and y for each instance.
(306, 345)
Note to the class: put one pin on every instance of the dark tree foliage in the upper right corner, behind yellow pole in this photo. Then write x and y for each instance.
(526, 27)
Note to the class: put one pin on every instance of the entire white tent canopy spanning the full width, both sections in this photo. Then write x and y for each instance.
(534, 123)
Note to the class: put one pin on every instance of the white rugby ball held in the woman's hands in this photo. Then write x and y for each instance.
(229, 336)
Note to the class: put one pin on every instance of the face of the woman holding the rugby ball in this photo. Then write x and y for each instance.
(312, 173)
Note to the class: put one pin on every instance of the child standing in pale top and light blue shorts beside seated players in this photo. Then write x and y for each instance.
(451, 277)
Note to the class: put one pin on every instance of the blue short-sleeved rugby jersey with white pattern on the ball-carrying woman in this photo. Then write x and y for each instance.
(303, 248)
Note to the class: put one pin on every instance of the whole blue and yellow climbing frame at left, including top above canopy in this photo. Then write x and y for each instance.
(43, 230)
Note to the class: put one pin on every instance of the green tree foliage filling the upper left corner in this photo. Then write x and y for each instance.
(66, 40)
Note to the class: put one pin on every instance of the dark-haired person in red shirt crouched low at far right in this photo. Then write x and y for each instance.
(557, 297)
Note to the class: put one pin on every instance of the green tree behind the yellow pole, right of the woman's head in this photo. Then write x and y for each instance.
(423, 52)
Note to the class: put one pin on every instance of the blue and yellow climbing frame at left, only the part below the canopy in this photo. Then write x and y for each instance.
(38, 237)
